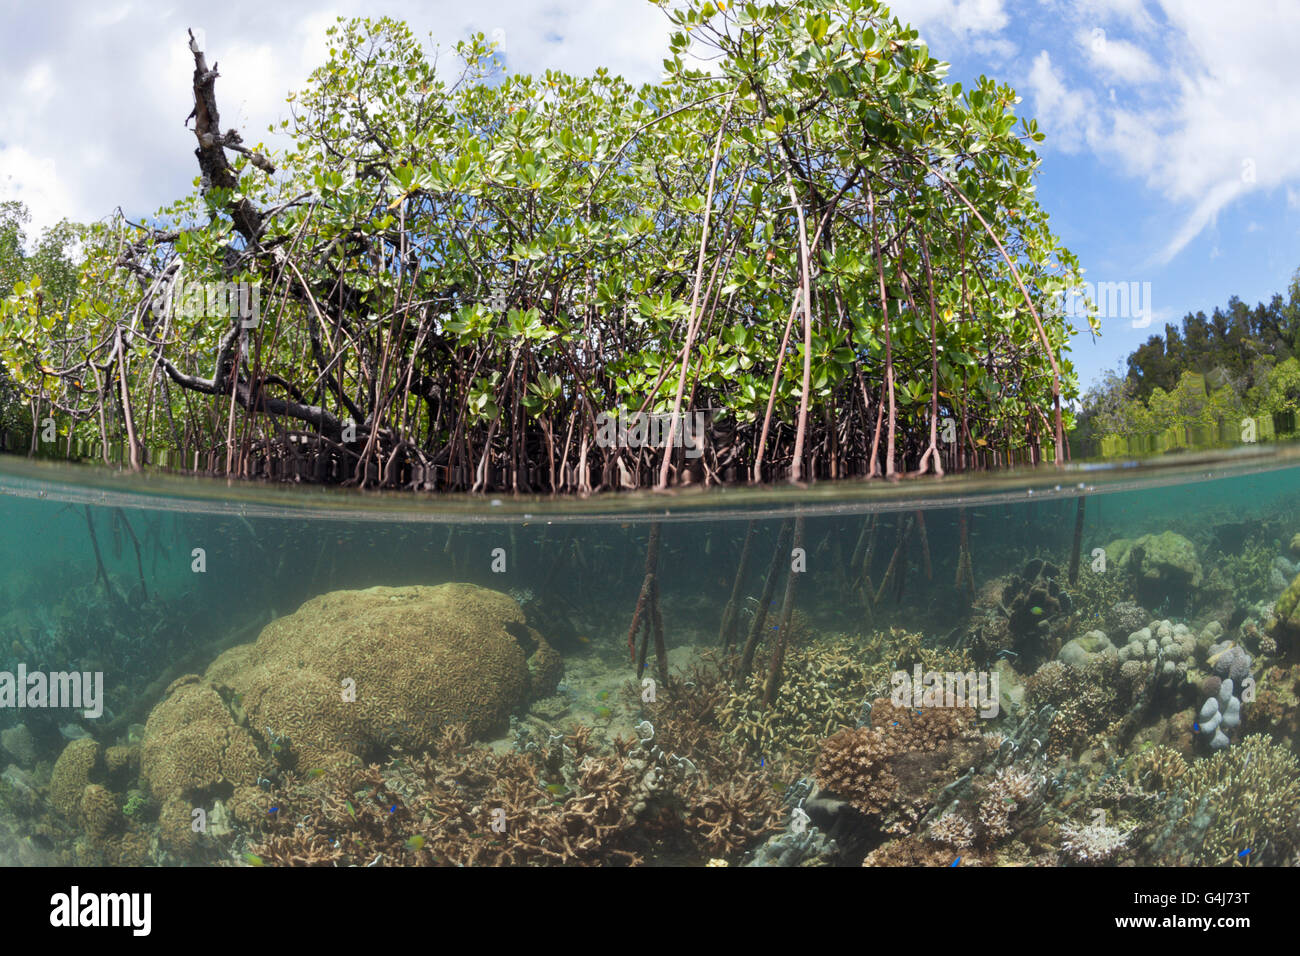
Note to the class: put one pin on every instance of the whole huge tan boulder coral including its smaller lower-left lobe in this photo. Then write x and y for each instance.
(349, 677)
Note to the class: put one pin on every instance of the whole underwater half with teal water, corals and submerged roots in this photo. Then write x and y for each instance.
(1077, 669)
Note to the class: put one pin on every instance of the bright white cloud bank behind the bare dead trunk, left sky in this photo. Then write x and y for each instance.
(127, 77)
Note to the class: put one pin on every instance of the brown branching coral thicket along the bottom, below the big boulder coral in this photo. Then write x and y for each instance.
(556, 802)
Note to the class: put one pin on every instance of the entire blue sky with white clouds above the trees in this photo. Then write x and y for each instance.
(1173, 152)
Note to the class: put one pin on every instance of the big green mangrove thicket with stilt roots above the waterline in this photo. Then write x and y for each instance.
(803, 230)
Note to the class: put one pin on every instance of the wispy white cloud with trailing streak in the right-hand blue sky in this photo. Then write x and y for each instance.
(1224, 123)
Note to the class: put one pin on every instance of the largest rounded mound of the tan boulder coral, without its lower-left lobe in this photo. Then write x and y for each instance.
(356, 673)
